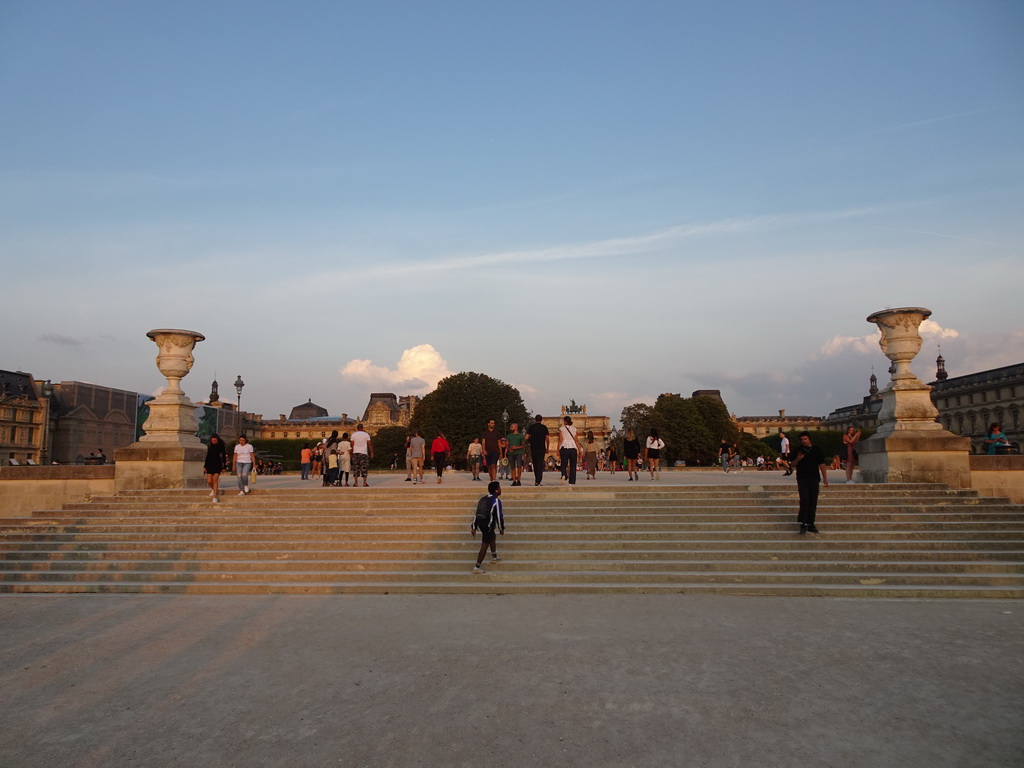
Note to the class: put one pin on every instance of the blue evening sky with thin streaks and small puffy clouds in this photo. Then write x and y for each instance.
(592, 201)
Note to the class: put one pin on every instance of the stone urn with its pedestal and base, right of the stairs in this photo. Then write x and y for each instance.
(911, 446)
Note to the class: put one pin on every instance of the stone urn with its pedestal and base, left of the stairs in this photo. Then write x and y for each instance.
(169, 455)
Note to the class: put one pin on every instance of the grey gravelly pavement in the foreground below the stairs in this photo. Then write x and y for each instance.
(596, 680)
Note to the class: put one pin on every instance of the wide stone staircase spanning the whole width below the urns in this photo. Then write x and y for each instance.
(877, 541)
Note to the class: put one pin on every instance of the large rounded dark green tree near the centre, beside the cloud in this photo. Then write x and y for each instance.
(461, 406)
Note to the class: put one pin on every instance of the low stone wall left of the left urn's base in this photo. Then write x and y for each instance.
(24, 490)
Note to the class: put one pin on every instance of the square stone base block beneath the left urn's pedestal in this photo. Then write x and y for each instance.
(146, 466)
